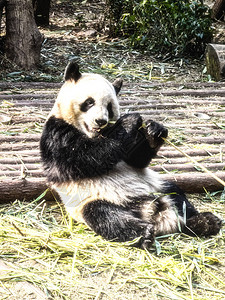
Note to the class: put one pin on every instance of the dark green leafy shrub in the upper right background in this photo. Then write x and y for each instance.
(177, 27)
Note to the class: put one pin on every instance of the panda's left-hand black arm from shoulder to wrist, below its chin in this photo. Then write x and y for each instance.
(68, 154)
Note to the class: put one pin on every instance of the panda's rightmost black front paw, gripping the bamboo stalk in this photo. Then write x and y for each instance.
(154, 133)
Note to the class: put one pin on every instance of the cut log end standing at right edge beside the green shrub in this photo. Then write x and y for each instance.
(215, 61)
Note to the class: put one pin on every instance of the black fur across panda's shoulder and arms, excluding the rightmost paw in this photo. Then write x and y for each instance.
(70, 155)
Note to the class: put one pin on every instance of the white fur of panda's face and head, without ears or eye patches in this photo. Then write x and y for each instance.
(73, 94)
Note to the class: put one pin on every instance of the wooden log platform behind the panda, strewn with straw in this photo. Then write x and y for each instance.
(194, 115)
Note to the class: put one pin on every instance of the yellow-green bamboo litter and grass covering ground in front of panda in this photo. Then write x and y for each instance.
(37, 246)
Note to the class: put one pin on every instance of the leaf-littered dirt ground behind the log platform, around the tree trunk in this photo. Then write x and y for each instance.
(78, 30)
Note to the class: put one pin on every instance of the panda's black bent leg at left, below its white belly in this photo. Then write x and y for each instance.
(117, 223)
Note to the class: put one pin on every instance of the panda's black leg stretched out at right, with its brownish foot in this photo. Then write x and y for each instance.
(195, 223)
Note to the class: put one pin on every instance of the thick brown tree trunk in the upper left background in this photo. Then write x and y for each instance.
(23, 39)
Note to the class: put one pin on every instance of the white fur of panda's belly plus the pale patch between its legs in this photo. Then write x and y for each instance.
(123, 184)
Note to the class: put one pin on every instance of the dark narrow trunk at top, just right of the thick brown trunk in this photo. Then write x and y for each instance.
(41, 11)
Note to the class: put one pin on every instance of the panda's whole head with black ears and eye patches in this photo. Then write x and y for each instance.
(87, 101)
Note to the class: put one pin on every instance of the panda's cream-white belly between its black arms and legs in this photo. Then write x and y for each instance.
(119, 187)
